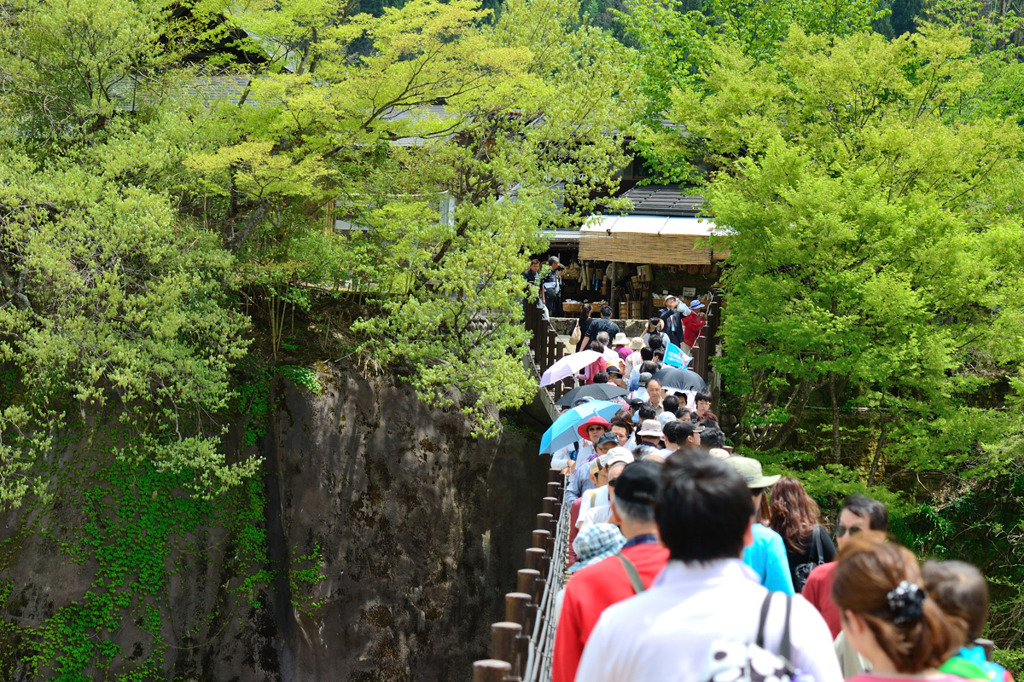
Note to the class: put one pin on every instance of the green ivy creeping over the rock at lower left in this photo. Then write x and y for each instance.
(140, 527)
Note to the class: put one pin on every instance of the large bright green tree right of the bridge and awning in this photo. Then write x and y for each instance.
(877, 255)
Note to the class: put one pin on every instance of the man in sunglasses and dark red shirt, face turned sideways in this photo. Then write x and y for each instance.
(859, 517)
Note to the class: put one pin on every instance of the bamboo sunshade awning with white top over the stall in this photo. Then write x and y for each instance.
(645, 239)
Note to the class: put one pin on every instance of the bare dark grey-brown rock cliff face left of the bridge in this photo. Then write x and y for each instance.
(392, 537)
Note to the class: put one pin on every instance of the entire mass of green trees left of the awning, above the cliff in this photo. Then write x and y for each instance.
(138, 194)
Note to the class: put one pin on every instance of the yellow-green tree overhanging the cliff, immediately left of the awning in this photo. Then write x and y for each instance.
(452, 142)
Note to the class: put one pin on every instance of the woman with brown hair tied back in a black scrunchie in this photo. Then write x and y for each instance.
(887, 616)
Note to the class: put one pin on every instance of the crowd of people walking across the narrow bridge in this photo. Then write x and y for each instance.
(679, 548)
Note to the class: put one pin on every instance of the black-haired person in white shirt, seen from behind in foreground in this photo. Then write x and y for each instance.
(706, 594)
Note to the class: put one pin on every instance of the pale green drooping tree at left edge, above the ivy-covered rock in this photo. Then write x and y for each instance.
(111, 309)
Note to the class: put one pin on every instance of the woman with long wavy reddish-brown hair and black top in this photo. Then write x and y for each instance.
(796, 517)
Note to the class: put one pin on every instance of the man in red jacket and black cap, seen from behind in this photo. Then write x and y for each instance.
(595, 588)
